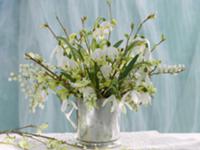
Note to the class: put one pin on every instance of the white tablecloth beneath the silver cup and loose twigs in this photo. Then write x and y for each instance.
(148, 140)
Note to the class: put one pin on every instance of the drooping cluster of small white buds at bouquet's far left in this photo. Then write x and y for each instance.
(28, 79)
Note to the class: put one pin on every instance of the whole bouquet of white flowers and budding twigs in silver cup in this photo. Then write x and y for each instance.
(90, 67)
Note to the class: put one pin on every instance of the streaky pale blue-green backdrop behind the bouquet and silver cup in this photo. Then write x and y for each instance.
(176, 105)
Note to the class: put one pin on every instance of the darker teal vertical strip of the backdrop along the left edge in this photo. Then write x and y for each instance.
(9, 25)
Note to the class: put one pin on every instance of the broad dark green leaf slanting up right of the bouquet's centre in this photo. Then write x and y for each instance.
(126, 69)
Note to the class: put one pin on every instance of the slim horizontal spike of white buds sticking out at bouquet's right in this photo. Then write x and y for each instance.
(171, 69)
